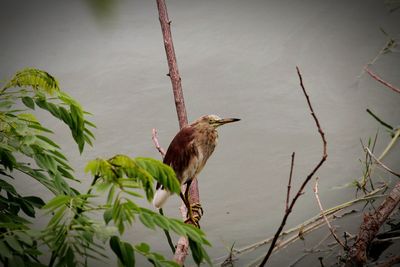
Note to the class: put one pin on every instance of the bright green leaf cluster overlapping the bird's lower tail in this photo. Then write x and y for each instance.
(122, 176)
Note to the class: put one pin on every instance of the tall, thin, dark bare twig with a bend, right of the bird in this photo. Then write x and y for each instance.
(307, 179)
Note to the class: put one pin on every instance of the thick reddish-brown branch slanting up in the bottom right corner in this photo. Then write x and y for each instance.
(370, 227)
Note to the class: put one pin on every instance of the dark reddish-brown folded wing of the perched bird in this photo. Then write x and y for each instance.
(181, 150)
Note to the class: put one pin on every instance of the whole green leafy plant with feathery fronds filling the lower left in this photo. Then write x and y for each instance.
(72, 235)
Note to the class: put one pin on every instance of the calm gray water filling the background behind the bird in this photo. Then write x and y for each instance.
(236, 59)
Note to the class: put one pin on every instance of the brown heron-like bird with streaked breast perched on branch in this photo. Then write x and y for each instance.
(188, 153)
